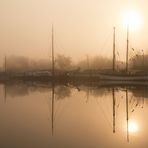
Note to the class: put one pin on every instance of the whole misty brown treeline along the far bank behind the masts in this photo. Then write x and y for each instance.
(65, 63)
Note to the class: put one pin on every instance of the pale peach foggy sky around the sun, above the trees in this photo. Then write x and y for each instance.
(81, 27)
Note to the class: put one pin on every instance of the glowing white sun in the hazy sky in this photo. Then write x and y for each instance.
(132, 19)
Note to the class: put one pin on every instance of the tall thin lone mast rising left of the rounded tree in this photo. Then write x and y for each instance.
(53, 66)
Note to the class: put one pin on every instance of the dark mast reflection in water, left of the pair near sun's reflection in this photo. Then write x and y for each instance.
(114, 115)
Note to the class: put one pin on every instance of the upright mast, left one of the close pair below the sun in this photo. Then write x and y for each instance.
(114, 48)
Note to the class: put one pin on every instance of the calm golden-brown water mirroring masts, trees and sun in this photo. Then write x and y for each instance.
(67, 116)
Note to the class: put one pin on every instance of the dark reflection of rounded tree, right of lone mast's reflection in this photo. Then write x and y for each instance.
(62, 92)
